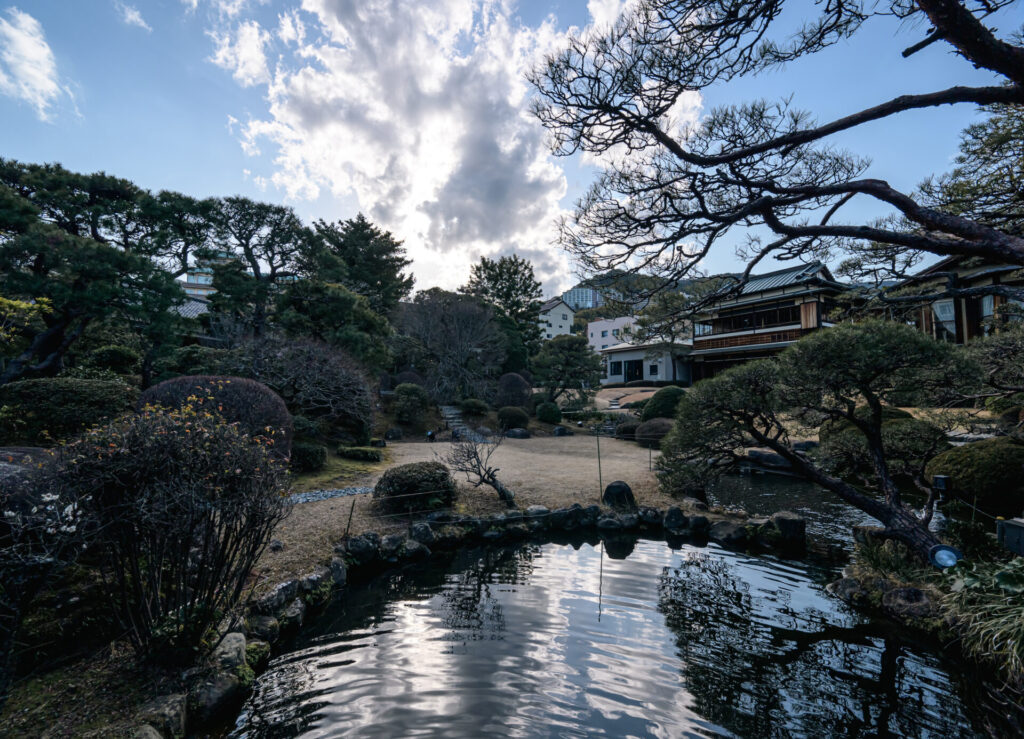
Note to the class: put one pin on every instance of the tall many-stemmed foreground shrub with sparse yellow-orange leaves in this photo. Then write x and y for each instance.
(181, 505)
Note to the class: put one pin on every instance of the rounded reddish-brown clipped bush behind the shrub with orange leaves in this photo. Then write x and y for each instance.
(258, 410)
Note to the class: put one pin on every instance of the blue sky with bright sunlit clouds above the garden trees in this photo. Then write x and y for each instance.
(413, 112)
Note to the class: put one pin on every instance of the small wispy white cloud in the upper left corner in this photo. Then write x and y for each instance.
(28, 69)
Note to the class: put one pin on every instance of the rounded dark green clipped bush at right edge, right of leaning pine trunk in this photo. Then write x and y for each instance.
(992, 469)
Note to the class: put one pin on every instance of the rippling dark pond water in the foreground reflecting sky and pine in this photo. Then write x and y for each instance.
(551, 641)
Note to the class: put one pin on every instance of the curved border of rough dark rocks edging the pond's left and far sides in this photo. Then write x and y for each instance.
(220, 687)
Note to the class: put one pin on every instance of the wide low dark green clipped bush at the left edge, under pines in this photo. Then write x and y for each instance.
(44, 412)
